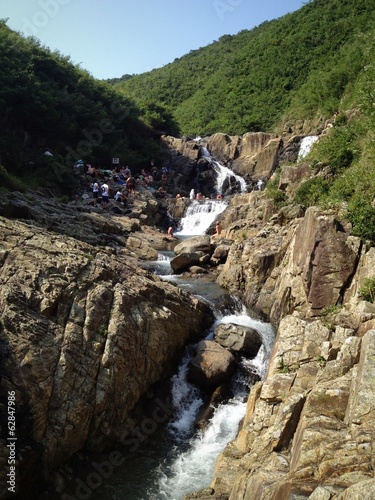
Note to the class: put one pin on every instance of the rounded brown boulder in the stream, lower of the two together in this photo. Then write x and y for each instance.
(212, 366)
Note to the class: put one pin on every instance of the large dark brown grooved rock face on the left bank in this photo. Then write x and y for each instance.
(84, 333)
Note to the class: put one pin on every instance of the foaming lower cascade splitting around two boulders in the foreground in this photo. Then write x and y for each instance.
(191, 467)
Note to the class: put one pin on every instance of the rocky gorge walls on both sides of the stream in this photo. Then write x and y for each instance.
(88, 335)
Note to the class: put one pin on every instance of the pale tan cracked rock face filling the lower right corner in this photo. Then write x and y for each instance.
(308, 431)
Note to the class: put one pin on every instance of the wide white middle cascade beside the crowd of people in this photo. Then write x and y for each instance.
(199, 217)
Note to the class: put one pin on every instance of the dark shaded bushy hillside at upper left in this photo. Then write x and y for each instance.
(48, 104)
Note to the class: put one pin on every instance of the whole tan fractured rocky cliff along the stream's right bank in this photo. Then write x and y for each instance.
(309, 427)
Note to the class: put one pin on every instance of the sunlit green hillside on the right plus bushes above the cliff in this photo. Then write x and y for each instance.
(308, 65)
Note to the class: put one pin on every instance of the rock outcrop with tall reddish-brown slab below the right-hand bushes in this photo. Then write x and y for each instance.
(304, 265)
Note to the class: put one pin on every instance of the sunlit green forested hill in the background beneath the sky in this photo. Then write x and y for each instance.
(298, 66)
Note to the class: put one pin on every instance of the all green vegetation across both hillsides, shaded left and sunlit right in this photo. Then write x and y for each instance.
(306, 65)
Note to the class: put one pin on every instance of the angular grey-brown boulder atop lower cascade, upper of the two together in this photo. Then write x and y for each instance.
(237, 338)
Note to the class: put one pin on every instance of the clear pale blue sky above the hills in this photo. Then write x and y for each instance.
(110, 38)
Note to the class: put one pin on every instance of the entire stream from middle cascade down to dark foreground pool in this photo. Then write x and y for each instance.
(170, 461)
